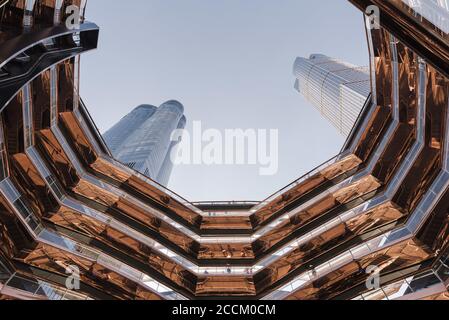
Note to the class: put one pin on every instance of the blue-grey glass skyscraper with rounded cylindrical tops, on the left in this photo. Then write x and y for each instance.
(141, 140)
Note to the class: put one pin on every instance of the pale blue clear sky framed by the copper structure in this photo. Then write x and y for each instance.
(230, 63)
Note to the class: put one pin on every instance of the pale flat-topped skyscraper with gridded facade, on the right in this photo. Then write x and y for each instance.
(337, 89)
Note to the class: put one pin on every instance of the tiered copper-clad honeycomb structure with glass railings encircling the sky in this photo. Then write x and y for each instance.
(384, 201)
